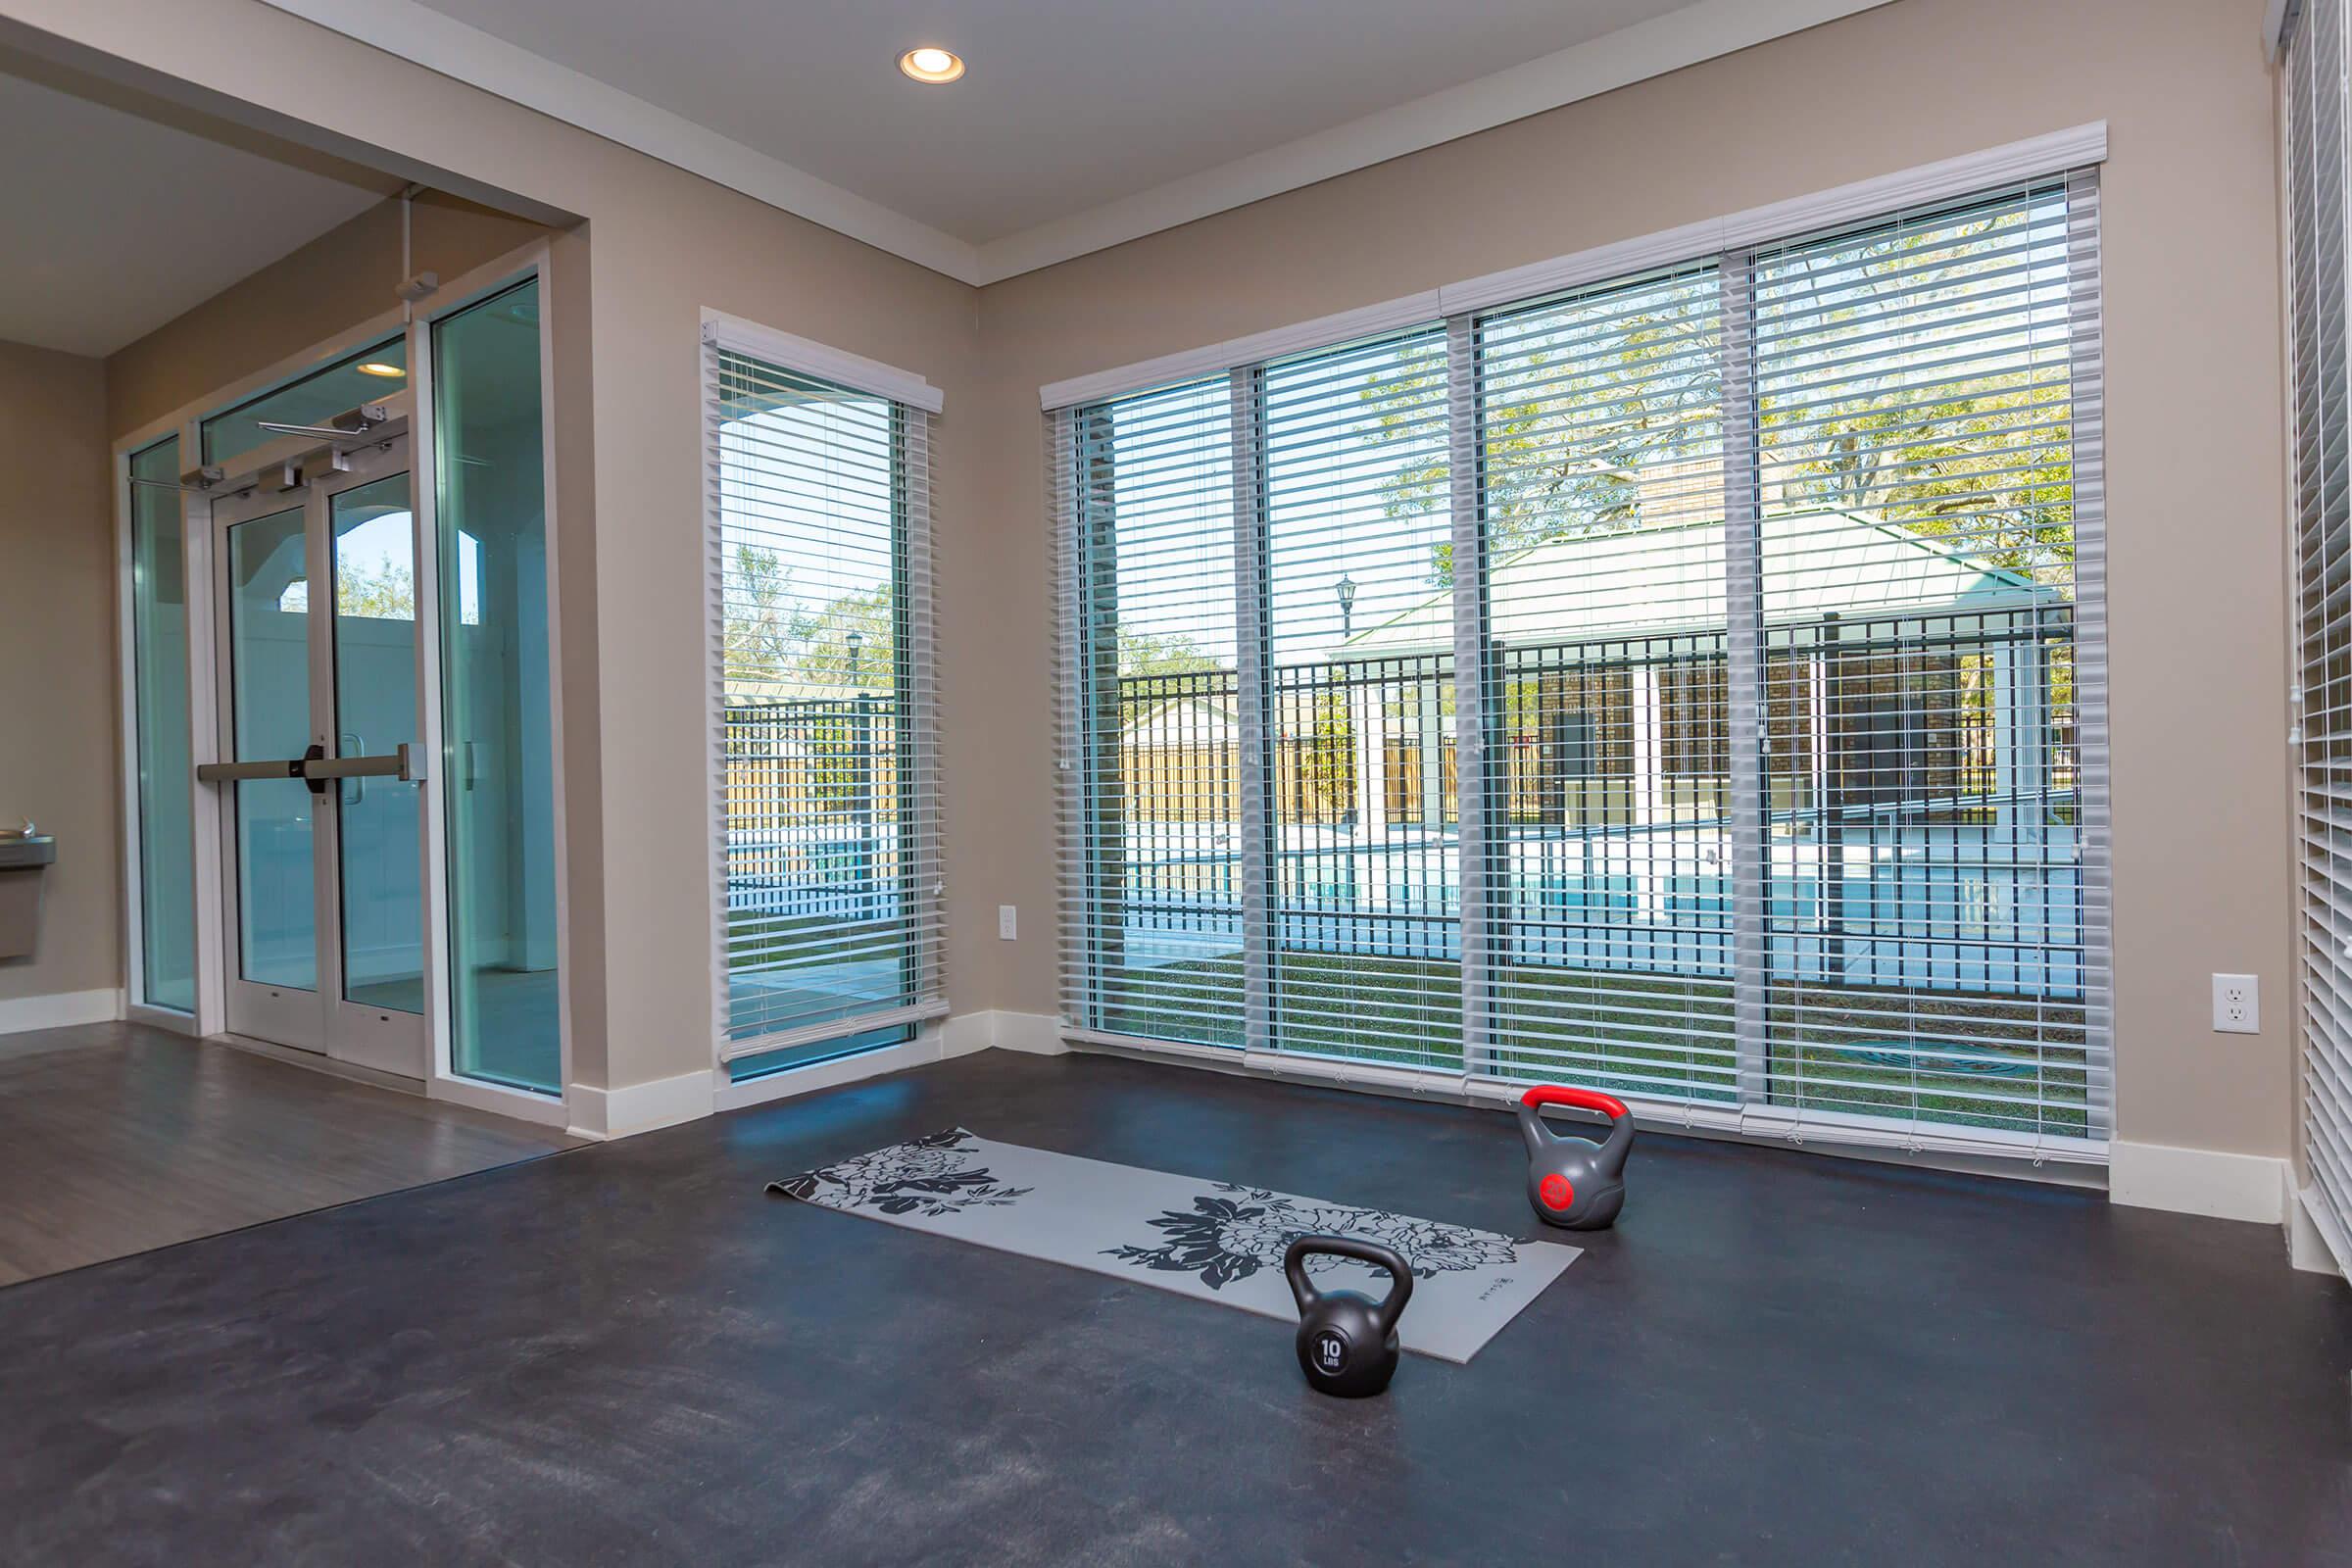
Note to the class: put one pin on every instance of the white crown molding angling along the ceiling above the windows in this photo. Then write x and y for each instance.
(1603, 65)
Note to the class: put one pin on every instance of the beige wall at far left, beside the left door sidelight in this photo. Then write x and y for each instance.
(58, 666)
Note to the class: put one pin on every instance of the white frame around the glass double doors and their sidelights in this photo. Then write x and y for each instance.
(523, 264)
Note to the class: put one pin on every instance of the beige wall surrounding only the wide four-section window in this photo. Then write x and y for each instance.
(2193, 427)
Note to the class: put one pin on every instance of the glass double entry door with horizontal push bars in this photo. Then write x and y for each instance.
(323, 833)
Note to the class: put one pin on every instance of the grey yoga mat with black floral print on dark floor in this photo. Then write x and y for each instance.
(1182, 1233)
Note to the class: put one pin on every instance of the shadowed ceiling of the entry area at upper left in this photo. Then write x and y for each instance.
(121, 222)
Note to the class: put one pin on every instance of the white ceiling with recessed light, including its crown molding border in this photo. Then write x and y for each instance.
(1083, 123)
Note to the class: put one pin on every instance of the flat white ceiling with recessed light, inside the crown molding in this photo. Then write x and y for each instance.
(1069, 105)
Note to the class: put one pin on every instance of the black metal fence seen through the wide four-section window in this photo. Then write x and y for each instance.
(1923, 812)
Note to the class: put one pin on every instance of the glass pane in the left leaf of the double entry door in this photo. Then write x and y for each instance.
(269, 659)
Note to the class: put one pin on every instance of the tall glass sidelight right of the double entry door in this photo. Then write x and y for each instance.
(500, 756)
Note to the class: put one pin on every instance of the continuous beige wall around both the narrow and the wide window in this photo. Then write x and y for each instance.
(2198, 626)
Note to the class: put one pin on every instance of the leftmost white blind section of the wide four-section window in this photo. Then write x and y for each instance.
(1151, 730)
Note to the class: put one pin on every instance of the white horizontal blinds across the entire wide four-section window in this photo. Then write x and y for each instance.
(1688, 685)
